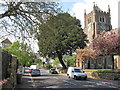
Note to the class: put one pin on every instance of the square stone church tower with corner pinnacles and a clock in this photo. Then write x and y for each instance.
(96, 21)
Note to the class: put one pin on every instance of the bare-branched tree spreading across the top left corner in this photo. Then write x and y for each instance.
(21, 18)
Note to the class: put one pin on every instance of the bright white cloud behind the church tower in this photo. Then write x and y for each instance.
(78, 9)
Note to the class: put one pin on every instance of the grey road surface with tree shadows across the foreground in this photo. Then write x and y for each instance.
(47, 80)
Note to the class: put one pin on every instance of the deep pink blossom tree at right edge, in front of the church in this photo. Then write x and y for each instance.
(108, 43)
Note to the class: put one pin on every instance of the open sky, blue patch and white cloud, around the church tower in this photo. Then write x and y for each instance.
(76, 8)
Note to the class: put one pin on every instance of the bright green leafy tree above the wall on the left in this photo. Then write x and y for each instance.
(22, 51)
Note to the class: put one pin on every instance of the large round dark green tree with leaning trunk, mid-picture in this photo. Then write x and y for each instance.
(61, 34)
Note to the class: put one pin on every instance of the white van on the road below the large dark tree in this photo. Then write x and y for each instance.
(76, 73)
